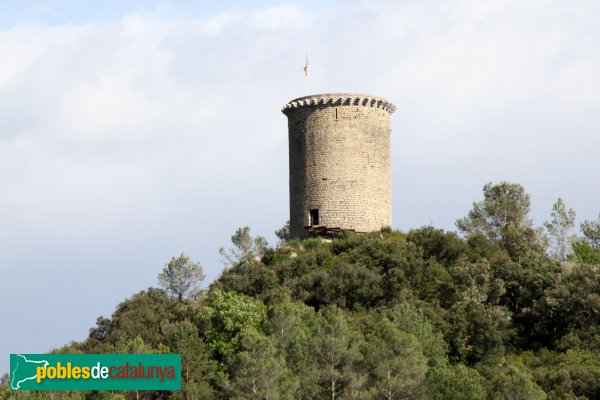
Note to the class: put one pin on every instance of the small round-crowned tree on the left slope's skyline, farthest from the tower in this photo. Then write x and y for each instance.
(181, 277)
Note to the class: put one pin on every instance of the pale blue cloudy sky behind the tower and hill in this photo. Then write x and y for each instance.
(133, 131)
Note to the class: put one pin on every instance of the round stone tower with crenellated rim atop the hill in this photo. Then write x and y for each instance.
(340, 174)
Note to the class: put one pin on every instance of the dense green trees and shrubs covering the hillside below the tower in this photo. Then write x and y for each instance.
(502, 311)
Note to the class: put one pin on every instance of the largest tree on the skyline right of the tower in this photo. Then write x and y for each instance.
(503, 204)
